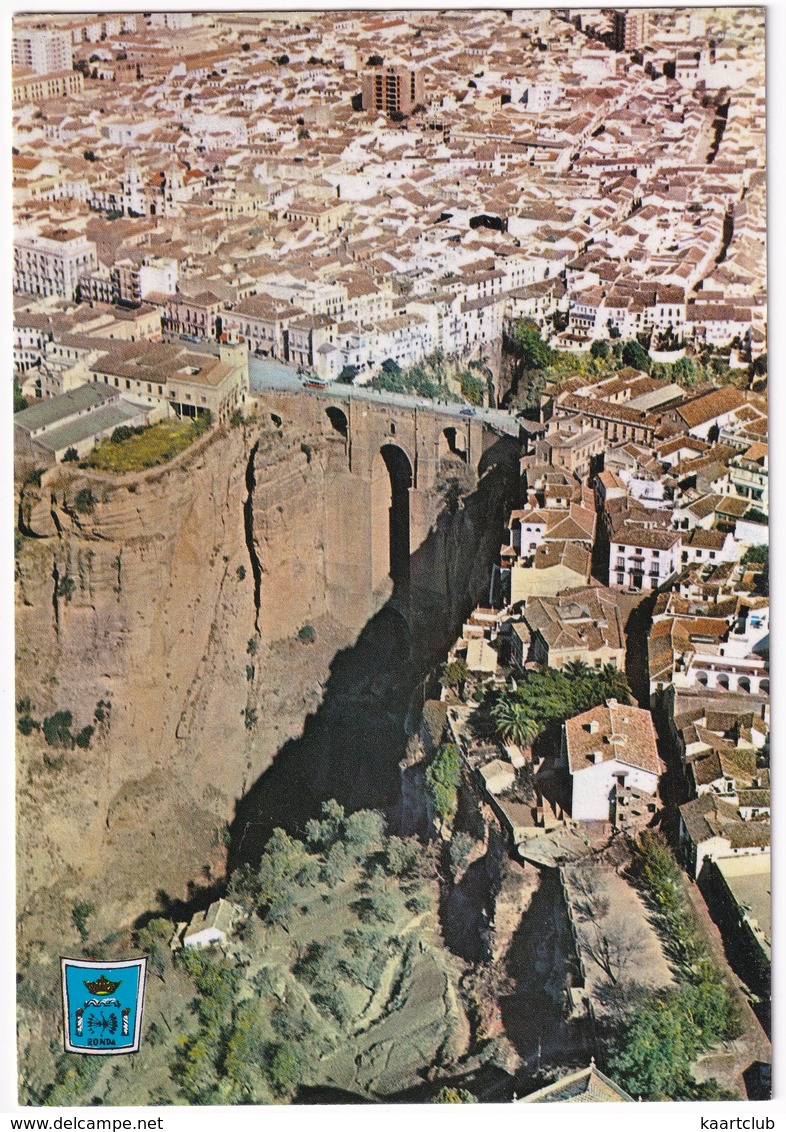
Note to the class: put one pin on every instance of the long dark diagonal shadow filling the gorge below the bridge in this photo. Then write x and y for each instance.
(352, 747)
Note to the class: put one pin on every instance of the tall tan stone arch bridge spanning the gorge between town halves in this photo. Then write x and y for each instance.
(388, 469)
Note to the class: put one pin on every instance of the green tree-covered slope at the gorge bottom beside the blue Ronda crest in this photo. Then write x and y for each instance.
(330, 944)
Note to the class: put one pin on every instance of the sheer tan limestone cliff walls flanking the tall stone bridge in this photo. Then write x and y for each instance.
(177, 599)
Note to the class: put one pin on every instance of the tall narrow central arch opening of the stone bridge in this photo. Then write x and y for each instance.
(391, 485)
